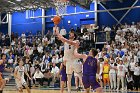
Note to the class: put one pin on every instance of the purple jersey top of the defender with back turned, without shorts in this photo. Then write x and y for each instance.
(90, 66)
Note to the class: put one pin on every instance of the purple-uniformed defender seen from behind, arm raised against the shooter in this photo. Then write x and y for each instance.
(90, 68)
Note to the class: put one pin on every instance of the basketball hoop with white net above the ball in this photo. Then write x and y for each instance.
(61, 7)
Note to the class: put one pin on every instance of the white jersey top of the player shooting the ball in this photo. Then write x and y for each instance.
(68, 51)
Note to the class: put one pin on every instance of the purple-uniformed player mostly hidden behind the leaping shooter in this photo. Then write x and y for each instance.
(63, 76)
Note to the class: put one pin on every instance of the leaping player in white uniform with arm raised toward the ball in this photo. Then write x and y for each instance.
(69, 58)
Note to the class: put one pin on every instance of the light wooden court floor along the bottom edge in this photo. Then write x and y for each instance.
(57, 91)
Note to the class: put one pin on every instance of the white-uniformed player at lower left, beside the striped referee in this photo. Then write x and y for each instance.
(19, 77)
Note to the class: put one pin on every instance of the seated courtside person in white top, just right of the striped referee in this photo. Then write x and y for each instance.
(38, 76)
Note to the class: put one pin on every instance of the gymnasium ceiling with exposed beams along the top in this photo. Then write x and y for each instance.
(22, 5)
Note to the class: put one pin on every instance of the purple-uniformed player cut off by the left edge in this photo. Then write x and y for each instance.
(2, 69)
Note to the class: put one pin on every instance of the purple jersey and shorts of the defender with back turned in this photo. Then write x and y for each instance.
(89, 73)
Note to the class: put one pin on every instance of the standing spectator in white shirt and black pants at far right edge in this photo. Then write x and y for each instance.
(136, 76)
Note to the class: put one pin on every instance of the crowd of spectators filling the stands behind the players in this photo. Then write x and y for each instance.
(120, 56)
